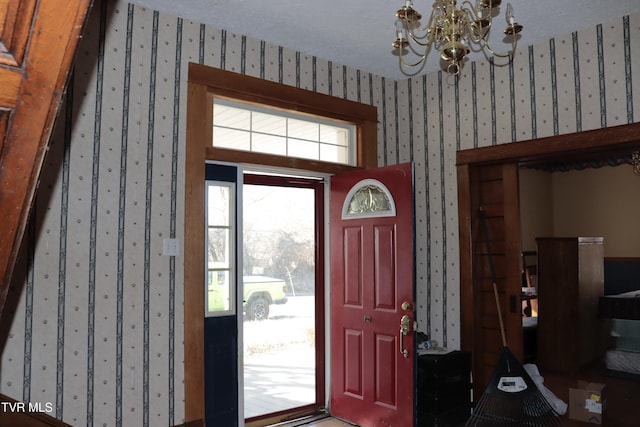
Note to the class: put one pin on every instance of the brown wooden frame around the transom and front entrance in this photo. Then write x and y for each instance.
(203, 84)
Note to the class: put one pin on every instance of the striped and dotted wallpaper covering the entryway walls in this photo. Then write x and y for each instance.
(95, 317)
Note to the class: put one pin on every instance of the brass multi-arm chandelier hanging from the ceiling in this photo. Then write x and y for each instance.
(454, 31)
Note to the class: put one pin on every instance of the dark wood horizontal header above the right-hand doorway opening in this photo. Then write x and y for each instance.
(567, 145)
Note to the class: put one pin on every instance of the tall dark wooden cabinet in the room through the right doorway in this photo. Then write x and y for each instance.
(570, 283)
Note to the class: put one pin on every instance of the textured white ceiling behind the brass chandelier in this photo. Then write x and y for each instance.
(359, 33)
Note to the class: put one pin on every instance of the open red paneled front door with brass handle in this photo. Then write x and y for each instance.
(372, 294)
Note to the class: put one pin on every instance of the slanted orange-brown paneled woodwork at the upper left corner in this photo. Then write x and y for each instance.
(38, 40)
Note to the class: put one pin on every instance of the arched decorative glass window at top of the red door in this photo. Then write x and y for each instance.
(368, 198)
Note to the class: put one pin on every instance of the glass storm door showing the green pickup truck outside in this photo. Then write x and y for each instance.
(283, 339)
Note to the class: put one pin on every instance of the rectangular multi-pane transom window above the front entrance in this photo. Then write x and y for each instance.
(261, 129)
